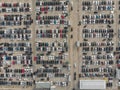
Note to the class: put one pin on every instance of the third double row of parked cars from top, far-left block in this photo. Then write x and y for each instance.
(16, 34)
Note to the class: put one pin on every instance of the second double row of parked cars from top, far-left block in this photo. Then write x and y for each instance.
(16, 20)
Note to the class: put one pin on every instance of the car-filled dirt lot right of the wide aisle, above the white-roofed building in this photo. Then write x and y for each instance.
(98, 41)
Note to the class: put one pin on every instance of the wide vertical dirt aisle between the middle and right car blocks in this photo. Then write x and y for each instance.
(73, 51)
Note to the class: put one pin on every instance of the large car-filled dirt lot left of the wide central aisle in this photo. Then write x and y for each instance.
(34, 43)
